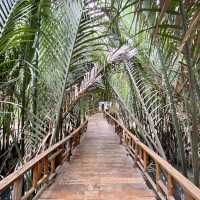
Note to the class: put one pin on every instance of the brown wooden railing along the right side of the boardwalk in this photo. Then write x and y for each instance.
(166, 177)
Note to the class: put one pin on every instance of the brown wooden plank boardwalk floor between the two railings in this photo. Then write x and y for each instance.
(99, 170)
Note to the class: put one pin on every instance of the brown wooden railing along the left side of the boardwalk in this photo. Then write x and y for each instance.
(42, 169)
